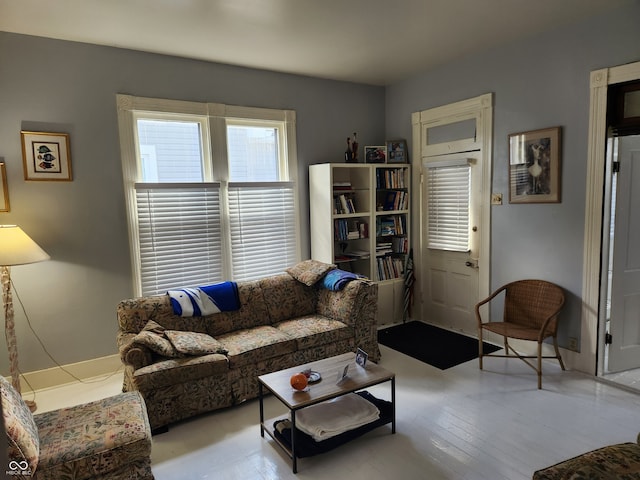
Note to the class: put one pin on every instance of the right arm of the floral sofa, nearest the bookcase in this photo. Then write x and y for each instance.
(357, 306)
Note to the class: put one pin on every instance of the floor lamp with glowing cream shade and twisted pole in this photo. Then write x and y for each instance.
(16, 248)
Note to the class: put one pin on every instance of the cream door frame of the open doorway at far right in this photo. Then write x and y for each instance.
(590, 359)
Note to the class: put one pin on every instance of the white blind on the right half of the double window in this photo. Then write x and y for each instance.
(262, 228)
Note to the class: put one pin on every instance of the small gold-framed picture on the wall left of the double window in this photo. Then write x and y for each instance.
(46, 156)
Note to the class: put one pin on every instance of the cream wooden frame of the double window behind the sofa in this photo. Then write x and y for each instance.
(214, 117)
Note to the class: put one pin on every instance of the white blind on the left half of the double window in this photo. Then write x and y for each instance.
(179, 235)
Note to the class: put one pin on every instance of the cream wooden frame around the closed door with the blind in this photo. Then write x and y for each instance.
(481, 109)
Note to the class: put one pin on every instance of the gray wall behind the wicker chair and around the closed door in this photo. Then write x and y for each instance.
(537, 83)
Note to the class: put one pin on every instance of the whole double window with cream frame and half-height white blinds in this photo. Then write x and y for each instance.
(211, 192)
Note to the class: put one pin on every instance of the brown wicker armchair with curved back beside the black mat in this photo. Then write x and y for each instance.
(531, 310)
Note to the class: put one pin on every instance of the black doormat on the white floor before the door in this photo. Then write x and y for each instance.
(438, 347)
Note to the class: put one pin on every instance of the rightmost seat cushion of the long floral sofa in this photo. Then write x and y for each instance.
(314, 330)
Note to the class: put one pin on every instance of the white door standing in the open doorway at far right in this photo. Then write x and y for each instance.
(624, 351)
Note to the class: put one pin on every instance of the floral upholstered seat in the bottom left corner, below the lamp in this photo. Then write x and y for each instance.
(95, 439)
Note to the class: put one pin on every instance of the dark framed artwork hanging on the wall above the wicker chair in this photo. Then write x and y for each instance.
(534, 166)
